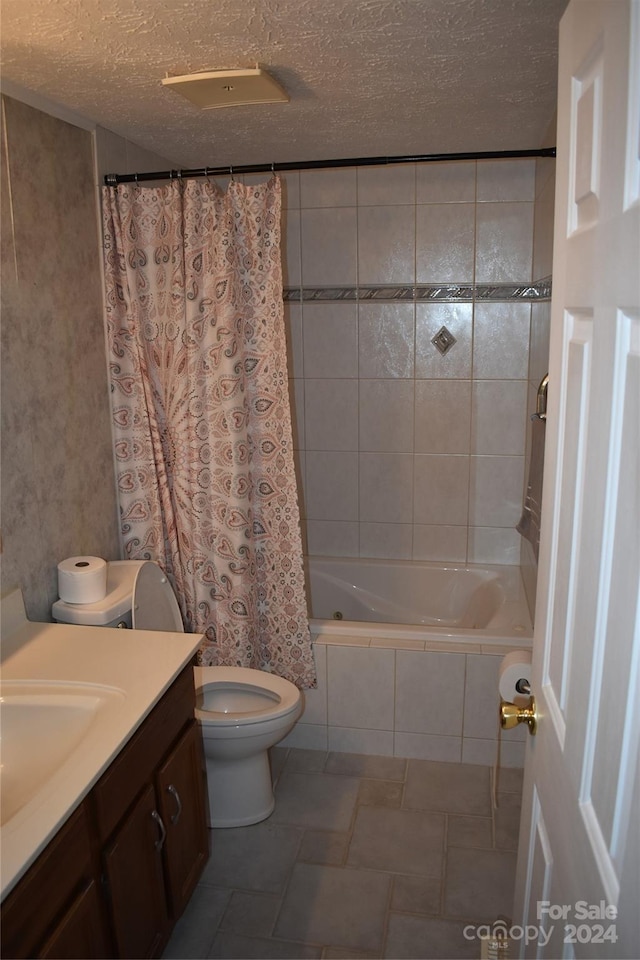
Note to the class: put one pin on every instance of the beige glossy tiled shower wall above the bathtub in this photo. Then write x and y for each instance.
(402, 452)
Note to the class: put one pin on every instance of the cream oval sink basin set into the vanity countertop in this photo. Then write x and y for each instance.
(41, 724)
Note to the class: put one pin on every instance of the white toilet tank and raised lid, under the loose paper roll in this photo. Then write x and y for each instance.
(139, 595)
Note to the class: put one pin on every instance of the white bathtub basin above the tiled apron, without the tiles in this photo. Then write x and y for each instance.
(417, 600)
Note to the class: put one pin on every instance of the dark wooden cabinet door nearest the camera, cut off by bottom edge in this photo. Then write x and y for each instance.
(80, 933)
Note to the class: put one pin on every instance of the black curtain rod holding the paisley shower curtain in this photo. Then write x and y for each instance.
(112, 179)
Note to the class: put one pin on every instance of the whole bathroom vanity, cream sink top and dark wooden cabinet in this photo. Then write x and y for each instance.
(101, 857)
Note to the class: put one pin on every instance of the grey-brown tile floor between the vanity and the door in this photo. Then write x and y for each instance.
(363, 857)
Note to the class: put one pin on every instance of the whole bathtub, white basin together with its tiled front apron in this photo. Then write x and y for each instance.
(408, 656)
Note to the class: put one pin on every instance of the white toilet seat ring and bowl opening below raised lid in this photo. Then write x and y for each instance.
(242, 696)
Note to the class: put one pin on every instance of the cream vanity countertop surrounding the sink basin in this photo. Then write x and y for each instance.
(140, 665)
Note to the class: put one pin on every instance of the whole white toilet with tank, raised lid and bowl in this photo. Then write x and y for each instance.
(241, 712)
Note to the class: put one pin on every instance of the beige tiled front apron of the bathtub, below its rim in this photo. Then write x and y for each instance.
(431, 699)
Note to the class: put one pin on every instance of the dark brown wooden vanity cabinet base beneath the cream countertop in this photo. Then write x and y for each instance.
(115, 879)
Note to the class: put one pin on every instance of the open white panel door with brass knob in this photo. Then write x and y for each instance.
(578, 884)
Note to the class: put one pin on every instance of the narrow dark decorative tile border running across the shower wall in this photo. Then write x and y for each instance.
(441, 293)
